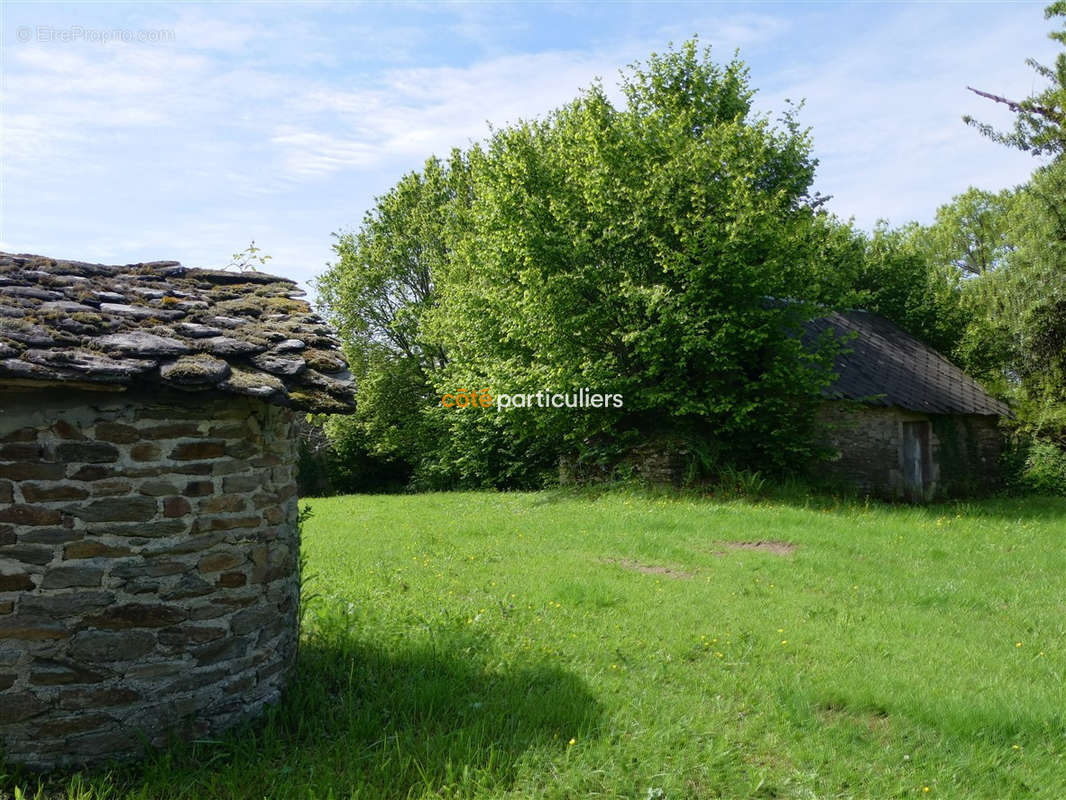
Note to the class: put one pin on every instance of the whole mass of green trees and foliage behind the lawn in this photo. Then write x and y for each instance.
(660, 250)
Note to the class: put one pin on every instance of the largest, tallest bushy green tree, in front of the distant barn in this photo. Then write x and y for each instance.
(653, 251)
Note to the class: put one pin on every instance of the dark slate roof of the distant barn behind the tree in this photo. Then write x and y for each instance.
(887, 366)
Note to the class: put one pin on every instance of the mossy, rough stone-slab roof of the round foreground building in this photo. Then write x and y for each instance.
(160, 324)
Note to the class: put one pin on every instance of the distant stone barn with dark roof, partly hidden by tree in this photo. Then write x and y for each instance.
(903, 421)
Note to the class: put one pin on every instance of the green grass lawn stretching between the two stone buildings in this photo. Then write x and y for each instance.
(615, 646)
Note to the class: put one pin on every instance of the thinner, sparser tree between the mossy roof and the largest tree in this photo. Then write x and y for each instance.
(377, 295)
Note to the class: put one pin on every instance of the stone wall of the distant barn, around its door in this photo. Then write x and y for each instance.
(869, 455)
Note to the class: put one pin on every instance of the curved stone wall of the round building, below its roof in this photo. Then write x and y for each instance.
(149, 569)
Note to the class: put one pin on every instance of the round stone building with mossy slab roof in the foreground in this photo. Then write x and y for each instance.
(149, 522)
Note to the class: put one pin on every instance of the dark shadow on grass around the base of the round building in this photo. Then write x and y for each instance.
(364, 719)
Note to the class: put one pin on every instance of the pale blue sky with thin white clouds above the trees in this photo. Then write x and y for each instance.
(216, 124)
